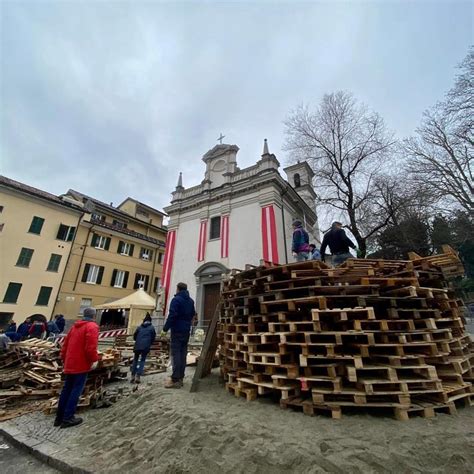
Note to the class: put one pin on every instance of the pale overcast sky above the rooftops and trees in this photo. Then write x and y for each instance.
(113, 99)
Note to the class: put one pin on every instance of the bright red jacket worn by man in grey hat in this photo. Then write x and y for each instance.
(79, 349)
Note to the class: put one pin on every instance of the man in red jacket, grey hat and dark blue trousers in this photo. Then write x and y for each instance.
(79, 355)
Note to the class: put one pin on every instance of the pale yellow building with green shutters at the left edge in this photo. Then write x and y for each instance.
(36, 234)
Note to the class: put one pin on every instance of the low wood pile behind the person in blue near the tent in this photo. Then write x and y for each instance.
(157, 359)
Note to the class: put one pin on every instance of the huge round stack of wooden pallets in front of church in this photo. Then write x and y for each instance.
(368, 335)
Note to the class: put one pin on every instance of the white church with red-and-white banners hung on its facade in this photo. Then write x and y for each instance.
(233, 218)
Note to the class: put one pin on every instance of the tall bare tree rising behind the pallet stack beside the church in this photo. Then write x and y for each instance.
(346, 145)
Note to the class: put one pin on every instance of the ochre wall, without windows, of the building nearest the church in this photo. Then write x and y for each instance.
(73, 290)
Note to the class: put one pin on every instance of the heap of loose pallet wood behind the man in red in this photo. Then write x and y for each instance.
(30, 374)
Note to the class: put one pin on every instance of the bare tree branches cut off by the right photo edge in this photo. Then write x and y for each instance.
(442, 153)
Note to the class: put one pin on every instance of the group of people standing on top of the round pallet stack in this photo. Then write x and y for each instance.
(336, 239)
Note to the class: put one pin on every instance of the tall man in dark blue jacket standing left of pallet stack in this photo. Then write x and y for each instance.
(180, 318)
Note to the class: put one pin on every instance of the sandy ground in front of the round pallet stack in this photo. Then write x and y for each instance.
(159, 430)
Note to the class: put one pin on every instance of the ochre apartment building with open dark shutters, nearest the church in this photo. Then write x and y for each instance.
(116, 250)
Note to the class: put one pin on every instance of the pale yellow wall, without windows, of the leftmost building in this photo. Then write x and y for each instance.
(18, 212)
